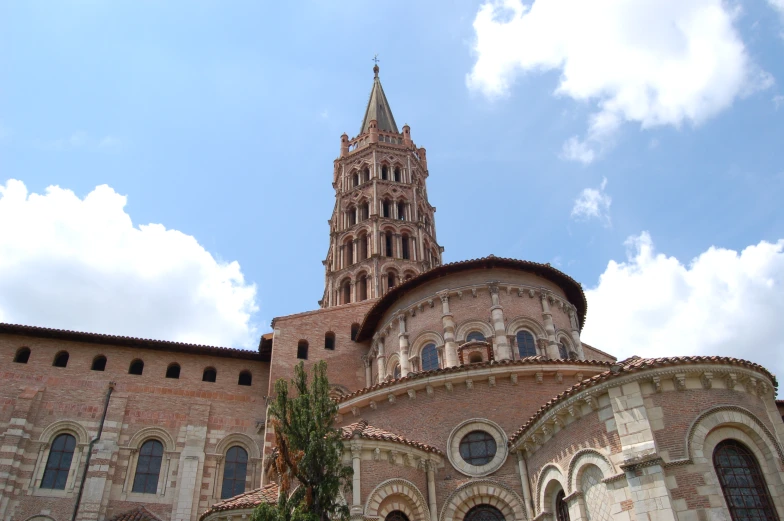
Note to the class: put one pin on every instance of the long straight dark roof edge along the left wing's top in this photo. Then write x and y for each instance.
(126, 341)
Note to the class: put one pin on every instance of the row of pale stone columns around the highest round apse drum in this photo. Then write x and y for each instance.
(448, 353)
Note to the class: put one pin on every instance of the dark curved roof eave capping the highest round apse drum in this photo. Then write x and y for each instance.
(572, 288)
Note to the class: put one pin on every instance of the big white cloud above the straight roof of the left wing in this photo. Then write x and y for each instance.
(81, 264)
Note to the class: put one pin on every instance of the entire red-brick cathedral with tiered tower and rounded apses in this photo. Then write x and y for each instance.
(465, 393)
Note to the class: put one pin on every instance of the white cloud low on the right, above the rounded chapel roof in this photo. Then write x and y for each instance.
(721, 303)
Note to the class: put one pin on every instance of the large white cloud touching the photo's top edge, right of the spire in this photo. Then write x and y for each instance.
(653, 62)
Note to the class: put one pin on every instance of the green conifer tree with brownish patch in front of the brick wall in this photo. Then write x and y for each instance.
(308, 451)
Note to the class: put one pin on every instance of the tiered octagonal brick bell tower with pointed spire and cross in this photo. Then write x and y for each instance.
(382, 230)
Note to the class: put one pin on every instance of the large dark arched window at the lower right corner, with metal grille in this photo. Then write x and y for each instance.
(742, 482)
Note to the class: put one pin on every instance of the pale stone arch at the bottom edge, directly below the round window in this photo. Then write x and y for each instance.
(483, 491)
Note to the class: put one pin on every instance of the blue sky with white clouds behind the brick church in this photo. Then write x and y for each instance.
(221, 120)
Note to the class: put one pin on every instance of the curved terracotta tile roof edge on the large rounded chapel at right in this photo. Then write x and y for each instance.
(632, 365)
